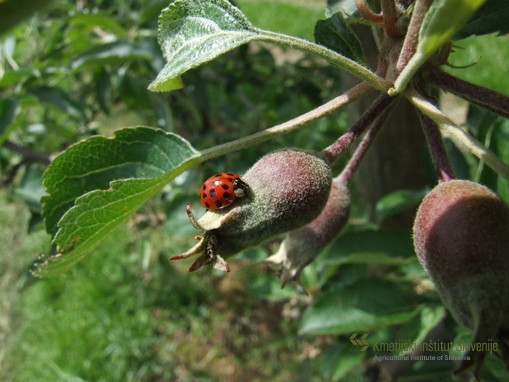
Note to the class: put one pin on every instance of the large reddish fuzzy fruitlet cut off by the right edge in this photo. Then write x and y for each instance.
(461, 236)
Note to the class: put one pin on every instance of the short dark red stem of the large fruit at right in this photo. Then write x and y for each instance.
(437, 149)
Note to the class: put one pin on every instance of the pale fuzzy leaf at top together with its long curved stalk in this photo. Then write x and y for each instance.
(193, 32)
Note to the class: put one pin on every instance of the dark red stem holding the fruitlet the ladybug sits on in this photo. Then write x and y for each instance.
(333, 152)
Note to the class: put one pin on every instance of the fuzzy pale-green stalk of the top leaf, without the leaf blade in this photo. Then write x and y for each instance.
(334, 58)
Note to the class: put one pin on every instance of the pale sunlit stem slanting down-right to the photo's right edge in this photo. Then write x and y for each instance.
(460, 138)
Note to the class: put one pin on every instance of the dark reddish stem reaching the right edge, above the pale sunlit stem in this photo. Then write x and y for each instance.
(486, 98)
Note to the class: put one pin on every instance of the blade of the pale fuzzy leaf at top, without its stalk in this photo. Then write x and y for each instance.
(194, 32)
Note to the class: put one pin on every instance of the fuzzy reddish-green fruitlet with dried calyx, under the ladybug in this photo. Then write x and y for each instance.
(287, 189)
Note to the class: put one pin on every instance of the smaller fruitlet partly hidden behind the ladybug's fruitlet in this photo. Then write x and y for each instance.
(301, 246)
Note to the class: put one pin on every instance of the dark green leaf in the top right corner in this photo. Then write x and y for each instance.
(490, 18)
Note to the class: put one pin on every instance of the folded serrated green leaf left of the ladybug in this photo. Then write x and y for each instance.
(95, 185)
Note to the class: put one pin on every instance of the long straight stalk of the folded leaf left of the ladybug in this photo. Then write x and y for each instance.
(327, 108)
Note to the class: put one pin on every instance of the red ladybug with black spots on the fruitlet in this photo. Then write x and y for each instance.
(220, 190)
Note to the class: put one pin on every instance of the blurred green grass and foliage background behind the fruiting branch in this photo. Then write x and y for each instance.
(125, 313)
